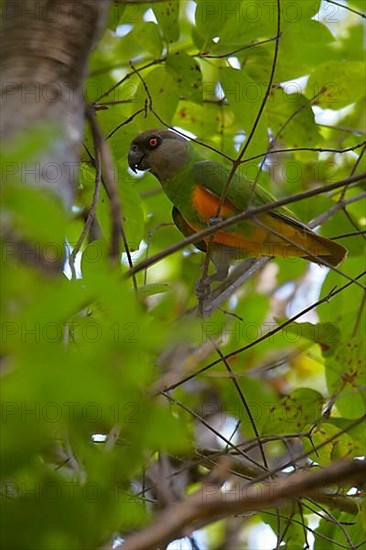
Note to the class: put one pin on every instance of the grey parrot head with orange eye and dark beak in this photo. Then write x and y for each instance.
(161, 151)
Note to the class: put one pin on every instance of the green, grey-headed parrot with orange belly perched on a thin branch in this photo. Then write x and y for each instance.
(194, 186)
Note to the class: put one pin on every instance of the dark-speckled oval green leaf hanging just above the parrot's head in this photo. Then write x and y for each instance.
(187, 74)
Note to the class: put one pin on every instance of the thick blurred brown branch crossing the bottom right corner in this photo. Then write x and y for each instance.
(212, 501)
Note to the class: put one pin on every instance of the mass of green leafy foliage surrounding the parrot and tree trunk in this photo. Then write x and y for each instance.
(280, 83)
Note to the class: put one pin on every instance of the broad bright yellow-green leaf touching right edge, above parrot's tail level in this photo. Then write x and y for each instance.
(337, 84)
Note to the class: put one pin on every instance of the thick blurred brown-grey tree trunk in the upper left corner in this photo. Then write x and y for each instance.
(44, 57)
